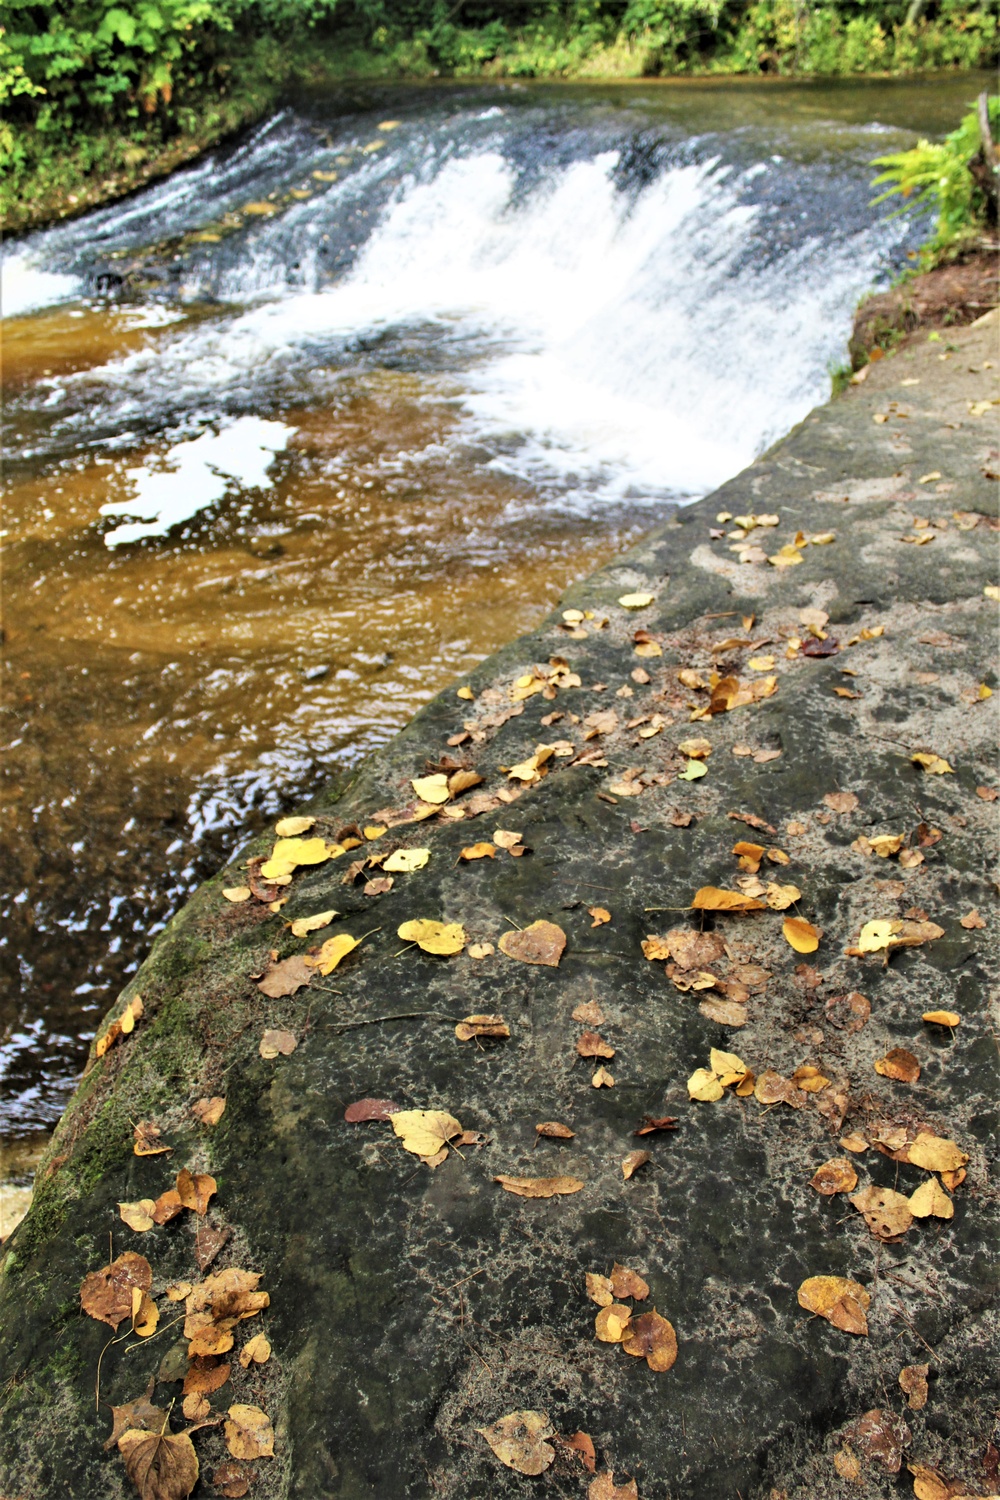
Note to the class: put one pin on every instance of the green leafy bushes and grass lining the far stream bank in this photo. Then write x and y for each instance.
(100, 97)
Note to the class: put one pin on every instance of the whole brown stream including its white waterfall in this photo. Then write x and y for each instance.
(310, 428)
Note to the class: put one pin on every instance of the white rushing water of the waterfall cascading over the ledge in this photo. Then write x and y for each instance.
(618, 346)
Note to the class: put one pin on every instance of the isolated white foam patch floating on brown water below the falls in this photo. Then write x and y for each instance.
(196, 475)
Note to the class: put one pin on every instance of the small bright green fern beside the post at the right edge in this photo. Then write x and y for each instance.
(956, 179)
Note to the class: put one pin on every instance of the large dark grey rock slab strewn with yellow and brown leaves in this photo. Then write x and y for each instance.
(804, 667)
